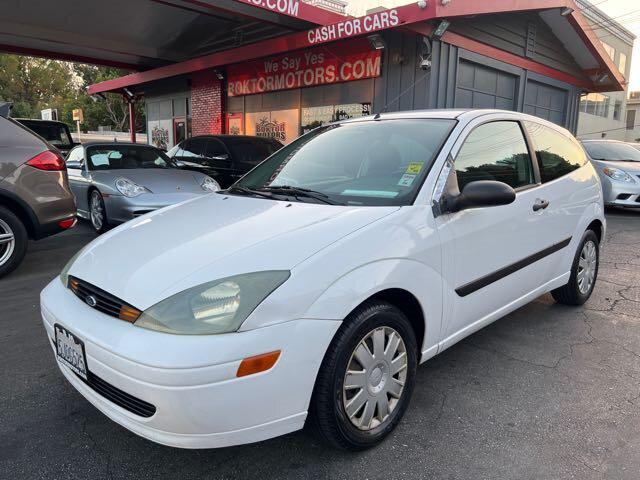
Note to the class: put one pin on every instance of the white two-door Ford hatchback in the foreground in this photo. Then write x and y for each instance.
(311, 289)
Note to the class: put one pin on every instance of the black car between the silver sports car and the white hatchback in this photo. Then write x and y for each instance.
(223, 157)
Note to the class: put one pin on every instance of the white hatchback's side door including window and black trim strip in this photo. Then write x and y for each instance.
(490, 254)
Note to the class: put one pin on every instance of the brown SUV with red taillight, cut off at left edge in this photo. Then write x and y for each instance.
(35, 200)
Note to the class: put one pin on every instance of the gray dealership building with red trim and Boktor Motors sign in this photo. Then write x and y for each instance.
(279, 68)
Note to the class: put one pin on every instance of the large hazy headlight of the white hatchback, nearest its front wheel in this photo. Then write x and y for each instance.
(214, 307)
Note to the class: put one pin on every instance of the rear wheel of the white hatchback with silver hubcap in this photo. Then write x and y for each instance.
(581, 285)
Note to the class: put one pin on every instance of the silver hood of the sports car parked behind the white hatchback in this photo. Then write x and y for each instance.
(158, 180)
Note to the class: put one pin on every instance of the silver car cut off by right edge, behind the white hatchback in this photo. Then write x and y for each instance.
(618, 165)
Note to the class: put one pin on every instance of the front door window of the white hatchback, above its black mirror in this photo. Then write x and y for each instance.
(495, 151)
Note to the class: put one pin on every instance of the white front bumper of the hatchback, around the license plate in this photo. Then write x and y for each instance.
(191, 380)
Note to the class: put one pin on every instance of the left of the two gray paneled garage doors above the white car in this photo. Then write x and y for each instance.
(479, 86)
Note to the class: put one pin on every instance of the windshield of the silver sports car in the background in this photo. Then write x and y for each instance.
(126, 157)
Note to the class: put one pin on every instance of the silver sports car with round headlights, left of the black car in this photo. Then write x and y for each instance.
(116, 182)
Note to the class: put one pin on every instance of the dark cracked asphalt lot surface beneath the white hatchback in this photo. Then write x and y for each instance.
(548, 392)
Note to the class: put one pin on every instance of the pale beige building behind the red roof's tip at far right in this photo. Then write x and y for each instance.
(610, 123)
